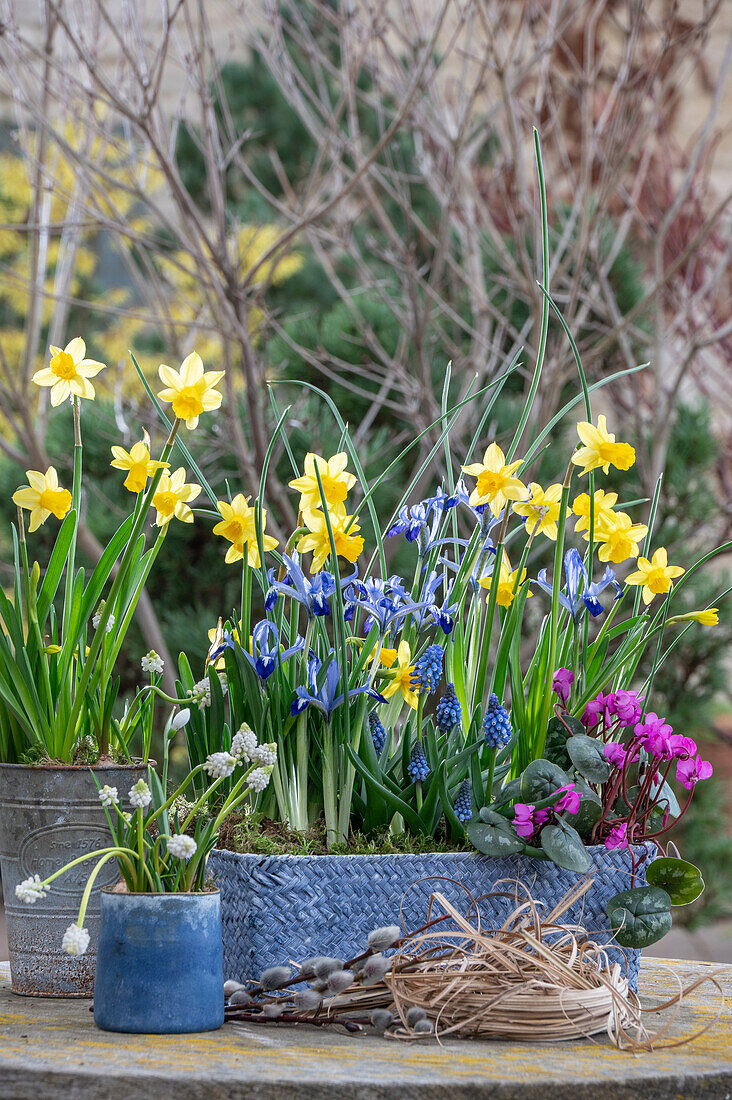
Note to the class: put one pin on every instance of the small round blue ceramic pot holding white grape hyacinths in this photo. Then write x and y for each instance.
(160, 964)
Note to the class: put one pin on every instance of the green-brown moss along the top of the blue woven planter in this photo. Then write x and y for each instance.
(263, 837)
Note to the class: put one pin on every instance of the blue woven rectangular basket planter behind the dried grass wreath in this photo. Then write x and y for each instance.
(281, 908)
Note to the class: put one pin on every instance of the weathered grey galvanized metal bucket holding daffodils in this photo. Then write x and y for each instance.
(50, 816)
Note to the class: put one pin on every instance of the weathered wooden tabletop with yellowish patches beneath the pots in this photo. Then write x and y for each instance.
(52, 1050)
